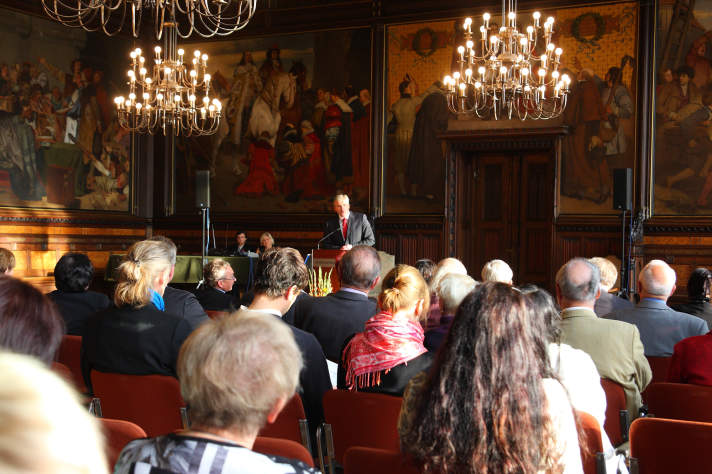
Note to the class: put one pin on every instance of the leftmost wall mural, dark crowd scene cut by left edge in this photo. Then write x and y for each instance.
(60, 145)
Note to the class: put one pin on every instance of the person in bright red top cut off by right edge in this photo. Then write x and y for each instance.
(692, 361)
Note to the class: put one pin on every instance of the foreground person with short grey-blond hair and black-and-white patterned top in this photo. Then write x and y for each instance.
(236, 374)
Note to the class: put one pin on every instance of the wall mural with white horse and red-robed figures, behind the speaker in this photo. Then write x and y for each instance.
(297, 124)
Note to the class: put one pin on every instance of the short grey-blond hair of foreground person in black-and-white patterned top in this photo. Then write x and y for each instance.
(232, 371)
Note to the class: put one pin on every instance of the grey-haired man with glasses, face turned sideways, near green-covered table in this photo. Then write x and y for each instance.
(218, 292)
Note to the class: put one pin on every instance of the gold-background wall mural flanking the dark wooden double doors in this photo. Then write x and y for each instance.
(600, 49)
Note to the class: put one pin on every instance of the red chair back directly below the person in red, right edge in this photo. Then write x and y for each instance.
(680, 401)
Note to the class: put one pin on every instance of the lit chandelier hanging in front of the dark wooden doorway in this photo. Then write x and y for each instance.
(505, 73)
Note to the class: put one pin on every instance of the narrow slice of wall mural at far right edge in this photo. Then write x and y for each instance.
(683, 111)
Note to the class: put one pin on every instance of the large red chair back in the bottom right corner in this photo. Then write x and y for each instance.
(663, 446)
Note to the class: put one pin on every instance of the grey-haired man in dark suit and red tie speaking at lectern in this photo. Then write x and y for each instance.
(347, 228)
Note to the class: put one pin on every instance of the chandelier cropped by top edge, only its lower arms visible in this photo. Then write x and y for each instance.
(205, 17)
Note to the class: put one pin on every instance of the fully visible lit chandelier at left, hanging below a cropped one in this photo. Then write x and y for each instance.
(174, 96)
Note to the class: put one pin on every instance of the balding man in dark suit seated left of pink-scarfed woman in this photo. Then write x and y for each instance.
(335, 317)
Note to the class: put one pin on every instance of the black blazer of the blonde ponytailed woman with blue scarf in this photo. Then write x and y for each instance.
(134, 341)
